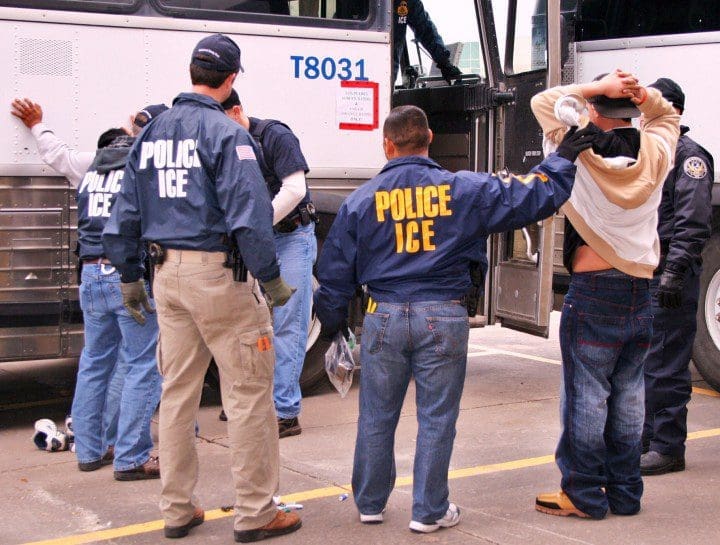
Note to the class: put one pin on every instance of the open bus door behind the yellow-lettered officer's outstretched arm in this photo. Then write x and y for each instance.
(521, 280)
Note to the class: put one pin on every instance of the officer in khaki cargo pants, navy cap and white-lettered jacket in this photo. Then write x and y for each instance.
(193, 187)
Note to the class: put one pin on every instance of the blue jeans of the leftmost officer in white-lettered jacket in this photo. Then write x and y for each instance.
(112, 335)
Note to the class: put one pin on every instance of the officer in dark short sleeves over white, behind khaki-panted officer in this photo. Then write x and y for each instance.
(284, 167)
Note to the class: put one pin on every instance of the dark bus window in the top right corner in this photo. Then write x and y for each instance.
(604, 20)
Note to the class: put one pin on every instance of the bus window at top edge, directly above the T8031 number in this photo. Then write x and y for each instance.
(324, 9)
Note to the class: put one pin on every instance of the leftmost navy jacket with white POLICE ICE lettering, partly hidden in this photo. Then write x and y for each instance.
(95, 193)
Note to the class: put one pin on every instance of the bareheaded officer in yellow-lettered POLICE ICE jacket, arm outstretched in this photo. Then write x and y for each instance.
(409, 235)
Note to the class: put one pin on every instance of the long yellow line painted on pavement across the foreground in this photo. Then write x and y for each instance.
(317, 493)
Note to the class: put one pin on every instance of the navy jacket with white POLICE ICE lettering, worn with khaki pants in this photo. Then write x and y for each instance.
(192, 180)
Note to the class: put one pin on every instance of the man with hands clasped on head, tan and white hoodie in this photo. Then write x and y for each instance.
(611, 249)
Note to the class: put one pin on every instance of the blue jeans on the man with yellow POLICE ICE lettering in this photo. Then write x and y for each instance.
(427, 341)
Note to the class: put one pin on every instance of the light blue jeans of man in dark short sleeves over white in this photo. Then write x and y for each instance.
(296, 253)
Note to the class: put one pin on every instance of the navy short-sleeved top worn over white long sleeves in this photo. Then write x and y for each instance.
(280, 154)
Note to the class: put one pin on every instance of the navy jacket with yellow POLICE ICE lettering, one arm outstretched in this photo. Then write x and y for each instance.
(410, 233)
